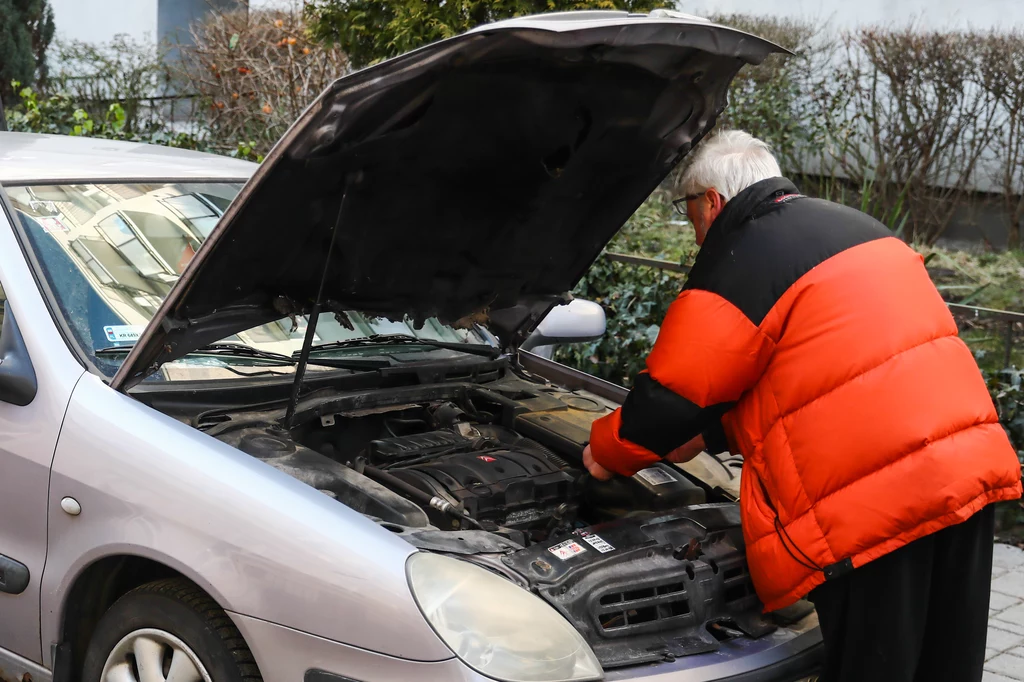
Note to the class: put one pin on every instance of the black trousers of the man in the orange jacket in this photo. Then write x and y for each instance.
(917, 615)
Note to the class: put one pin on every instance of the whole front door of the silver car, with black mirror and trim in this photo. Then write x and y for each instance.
(38, 373)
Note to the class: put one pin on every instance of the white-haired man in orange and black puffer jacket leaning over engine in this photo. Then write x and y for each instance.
(813, 342)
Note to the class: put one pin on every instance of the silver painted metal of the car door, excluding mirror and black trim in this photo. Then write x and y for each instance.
(28, 438)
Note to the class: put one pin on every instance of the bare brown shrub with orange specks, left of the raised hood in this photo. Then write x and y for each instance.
(255, 72)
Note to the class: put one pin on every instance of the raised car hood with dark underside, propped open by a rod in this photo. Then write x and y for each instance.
(476, 179)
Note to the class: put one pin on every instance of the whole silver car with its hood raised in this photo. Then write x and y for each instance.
(277, 422)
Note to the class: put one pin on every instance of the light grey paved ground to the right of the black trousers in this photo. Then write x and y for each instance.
(1005, 657)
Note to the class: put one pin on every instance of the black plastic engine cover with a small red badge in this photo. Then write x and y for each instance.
(508, 488)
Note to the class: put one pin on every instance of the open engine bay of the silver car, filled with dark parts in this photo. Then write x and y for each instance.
(648, 568)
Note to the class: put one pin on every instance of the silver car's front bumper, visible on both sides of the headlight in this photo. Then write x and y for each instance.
(285, 655)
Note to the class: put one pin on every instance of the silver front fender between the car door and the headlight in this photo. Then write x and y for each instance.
(260, 542)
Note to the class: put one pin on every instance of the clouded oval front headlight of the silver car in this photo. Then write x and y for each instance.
(496, 627)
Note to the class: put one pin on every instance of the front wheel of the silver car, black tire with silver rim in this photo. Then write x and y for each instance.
(164, 624)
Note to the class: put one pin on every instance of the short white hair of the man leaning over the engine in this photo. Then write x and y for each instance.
(730, 162)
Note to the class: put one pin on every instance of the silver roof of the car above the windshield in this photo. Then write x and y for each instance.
(31, 158)
